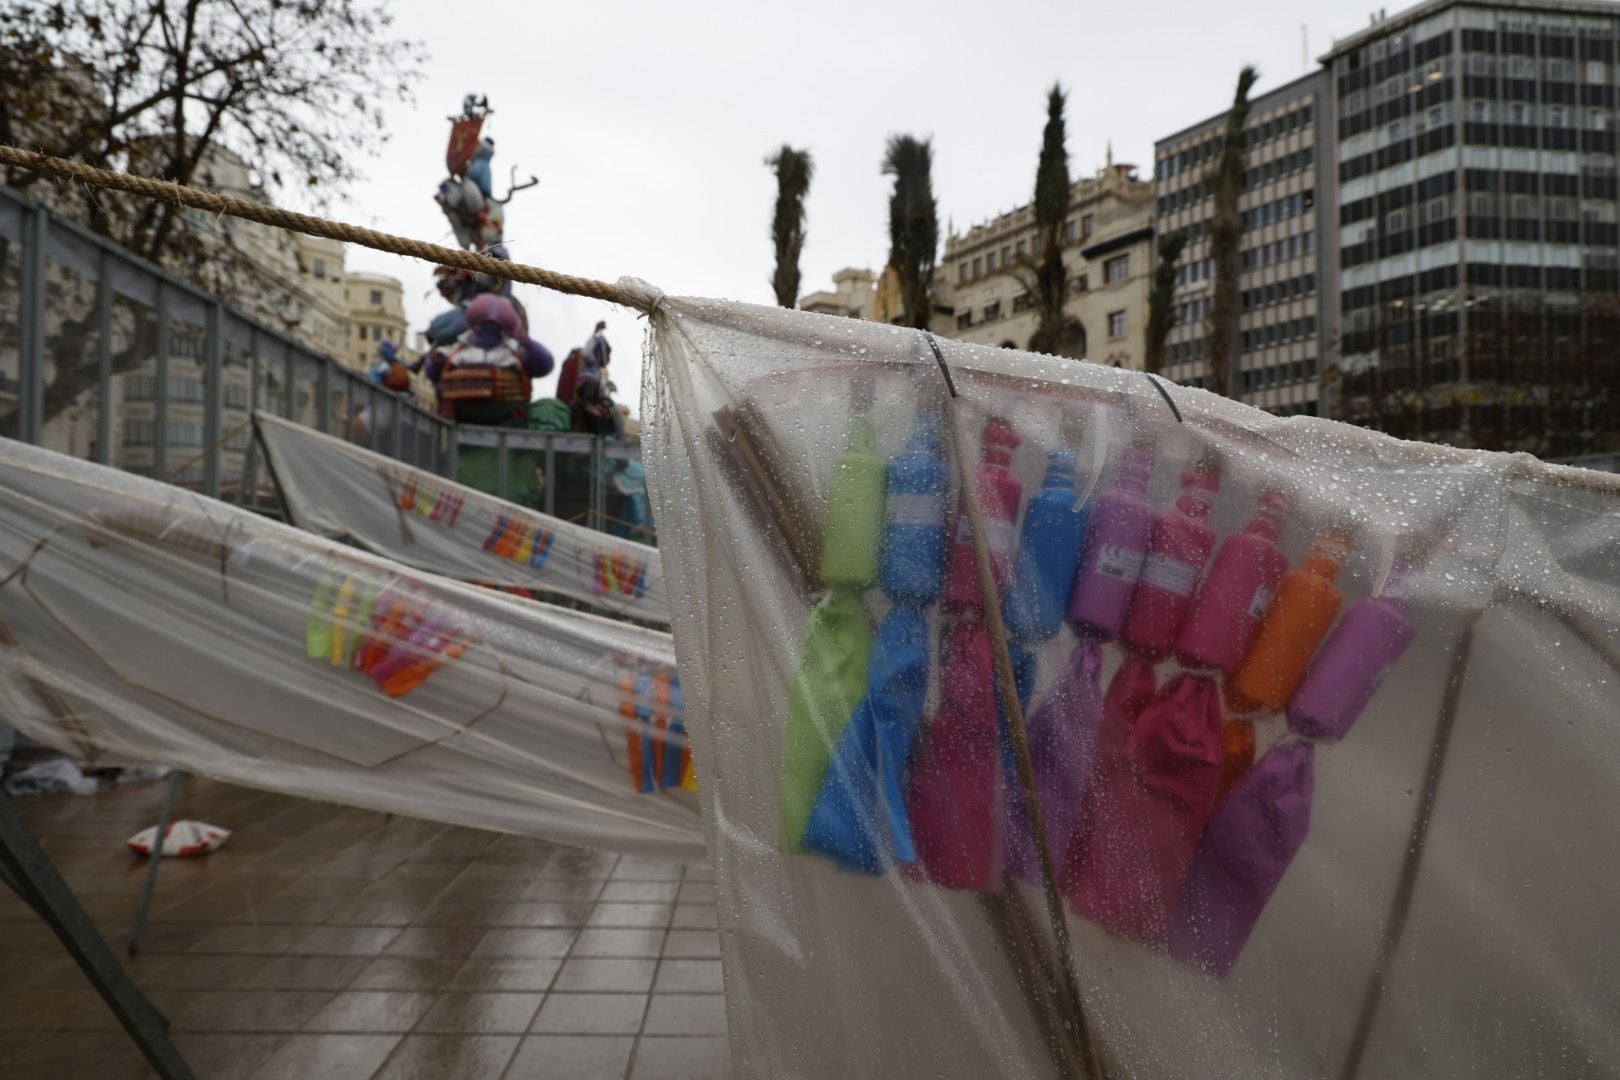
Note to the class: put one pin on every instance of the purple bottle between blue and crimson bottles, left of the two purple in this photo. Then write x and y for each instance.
(1115, 550)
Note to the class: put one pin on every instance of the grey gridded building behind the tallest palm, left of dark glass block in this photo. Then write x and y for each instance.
(1285, 255)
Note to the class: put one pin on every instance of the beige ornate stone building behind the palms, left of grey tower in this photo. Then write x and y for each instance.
(983, 294)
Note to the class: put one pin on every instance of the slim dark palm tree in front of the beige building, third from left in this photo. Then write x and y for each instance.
(1046, 279)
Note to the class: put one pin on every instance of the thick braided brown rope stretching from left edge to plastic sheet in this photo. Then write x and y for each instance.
(169, 192)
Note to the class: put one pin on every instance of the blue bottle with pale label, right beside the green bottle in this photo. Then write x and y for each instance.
(914, 517)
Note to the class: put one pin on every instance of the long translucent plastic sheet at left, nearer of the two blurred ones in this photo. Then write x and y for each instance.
(145, 621)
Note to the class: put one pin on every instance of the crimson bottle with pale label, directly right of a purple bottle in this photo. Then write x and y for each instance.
(1177, 553)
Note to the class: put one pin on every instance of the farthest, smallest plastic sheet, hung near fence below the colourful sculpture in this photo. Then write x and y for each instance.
(424, 521)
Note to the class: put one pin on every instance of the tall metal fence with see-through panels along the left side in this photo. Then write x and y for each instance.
(108, 357)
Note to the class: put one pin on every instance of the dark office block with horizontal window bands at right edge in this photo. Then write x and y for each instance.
(1480, 244)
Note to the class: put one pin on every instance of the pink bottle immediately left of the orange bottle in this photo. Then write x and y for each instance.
(1235, 595)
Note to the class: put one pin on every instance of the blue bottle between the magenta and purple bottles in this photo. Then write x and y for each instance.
(1049, 553)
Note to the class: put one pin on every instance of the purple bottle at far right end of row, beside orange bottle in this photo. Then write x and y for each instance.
(1355, 660)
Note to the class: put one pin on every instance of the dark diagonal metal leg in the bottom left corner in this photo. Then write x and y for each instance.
(30, 872)
